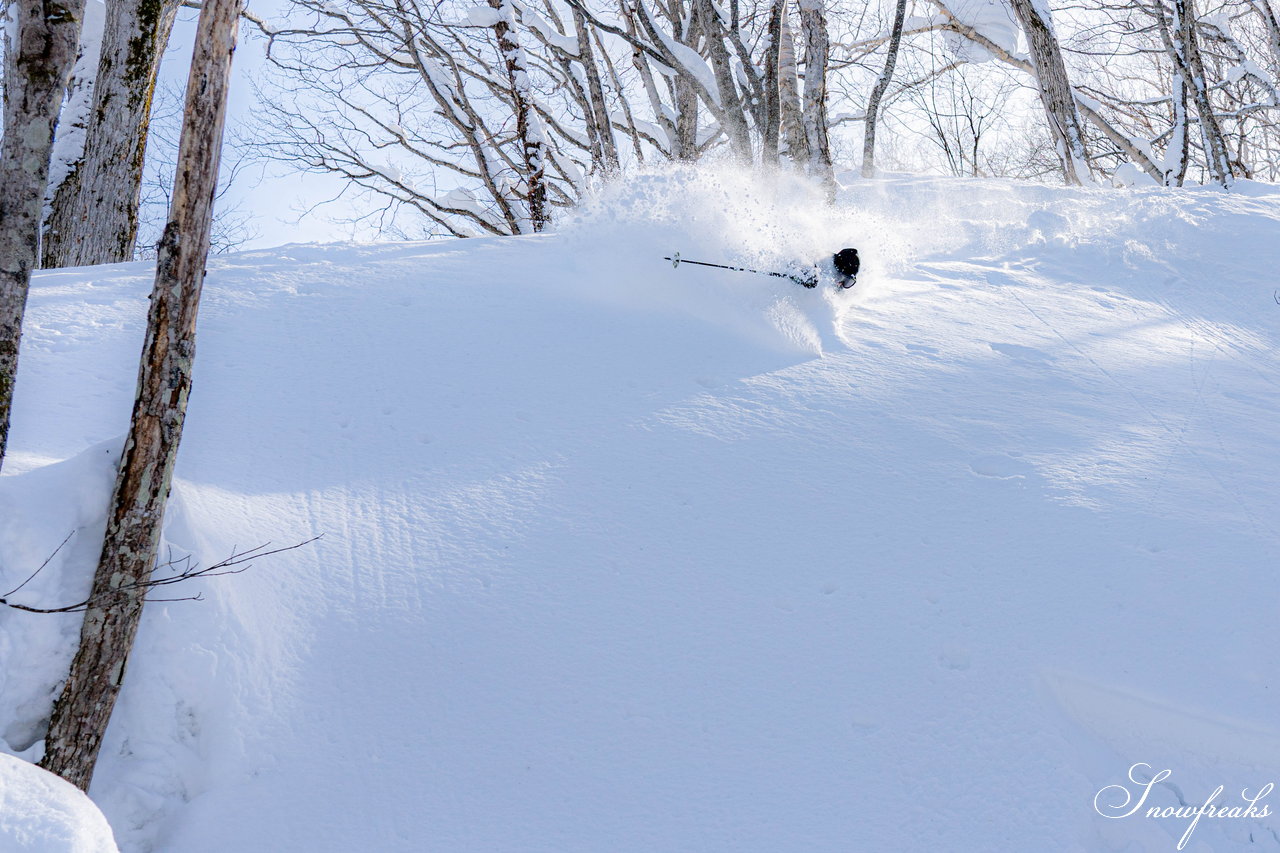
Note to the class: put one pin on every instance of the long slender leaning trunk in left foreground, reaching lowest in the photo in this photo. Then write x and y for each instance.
(132, 540)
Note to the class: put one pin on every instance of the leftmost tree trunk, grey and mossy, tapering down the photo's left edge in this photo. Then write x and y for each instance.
(42, 43)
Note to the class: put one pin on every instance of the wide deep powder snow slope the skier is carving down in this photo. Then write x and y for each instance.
(625, 558)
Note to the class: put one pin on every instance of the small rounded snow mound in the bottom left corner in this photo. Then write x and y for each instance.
(43, 814)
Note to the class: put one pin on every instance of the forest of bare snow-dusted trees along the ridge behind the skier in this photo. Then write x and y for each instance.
(488, 120)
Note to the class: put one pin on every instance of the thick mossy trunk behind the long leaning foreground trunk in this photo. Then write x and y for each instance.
(94, 218)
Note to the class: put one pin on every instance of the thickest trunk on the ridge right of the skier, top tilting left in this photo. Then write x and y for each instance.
(1055, 90)
